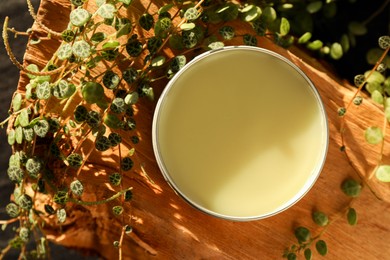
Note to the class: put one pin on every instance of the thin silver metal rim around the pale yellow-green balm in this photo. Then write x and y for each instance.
(309, 183)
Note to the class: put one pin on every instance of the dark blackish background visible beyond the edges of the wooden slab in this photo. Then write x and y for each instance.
(353, 63)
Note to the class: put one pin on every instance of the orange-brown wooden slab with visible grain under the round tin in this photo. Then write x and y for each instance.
(174, 230)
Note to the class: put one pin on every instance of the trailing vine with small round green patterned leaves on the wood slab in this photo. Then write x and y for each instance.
(101, 69)
